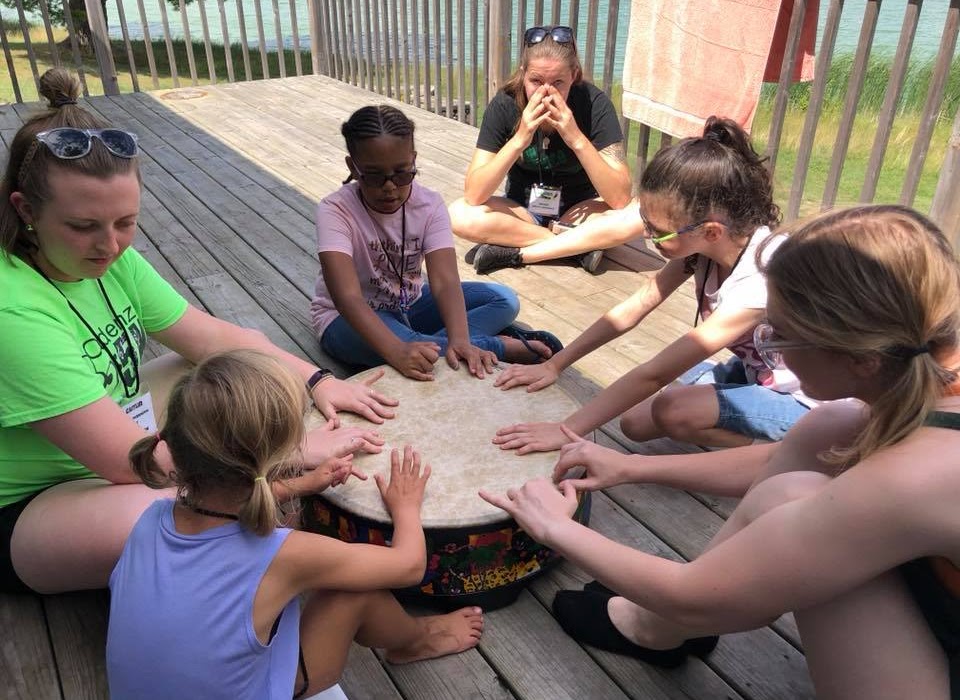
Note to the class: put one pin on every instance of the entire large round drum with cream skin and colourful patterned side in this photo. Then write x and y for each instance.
(476, 553)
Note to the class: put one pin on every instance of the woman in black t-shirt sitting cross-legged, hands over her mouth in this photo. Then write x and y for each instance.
(557, 140)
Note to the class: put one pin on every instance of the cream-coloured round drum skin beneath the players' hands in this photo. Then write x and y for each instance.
(451, 421)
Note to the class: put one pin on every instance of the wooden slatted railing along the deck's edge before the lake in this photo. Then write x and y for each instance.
(450, 56)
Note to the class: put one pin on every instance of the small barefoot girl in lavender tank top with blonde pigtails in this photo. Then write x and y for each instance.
(205, 600)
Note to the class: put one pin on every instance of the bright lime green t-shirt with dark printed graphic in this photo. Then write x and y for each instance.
(52, 364)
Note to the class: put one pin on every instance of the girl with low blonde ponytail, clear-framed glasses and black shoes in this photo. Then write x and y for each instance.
(850, 523)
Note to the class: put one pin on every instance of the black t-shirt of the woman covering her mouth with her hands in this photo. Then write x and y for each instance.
(597, 119)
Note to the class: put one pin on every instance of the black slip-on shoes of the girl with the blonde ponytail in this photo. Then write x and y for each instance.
(583, 615)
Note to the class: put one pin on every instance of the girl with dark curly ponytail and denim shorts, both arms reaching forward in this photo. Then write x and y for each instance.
(707, 205)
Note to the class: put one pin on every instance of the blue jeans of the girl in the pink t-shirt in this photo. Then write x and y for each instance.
(490, 308)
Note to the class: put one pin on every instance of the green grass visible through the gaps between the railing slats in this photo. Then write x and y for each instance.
(892, 174)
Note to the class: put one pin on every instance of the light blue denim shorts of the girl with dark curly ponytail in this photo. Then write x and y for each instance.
(745, 408)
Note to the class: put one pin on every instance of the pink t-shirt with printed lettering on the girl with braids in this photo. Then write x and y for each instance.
(374, 241)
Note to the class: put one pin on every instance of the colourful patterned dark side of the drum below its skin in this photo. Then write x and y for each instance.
(486, 565)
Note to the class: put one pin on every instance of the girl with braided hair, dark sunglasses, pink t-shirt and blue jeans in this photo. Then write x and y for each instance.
(371, 304)
